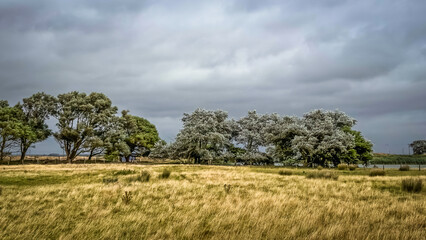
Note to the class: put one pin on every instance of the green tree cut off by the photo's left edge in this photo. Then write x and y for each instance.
(10, 126)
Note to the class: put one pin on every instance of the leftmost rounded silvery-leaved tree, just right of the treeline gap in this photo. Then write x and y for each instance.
(205, 135)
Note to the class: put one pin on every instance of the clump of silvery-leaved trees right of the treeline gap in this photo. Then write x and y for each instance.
(319, 137)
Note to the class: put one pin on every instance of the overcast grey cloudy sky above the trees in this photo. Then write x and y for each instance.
(160, 59)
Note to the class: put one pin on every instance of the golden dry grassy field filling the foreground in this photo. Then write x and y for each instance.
(205, 202)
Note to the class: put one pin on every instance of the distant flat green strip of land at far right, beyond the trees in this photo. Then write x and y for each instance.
(382, 158)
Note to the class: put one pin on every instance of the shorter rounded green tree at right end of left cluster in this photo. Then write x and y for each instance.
(140, 135)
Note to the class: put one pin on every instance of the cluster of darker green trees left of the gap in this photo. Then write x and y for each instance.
(86, 124)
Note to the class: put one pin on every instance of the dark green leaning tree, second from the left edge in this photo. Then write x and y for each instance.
(35, 110)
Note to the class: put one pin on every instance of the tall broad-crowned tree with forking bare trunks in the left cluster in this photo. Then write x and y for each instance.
(79, 117)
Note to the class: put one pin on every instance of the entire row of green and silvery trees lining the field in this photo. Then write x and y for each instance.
(89, 124)
